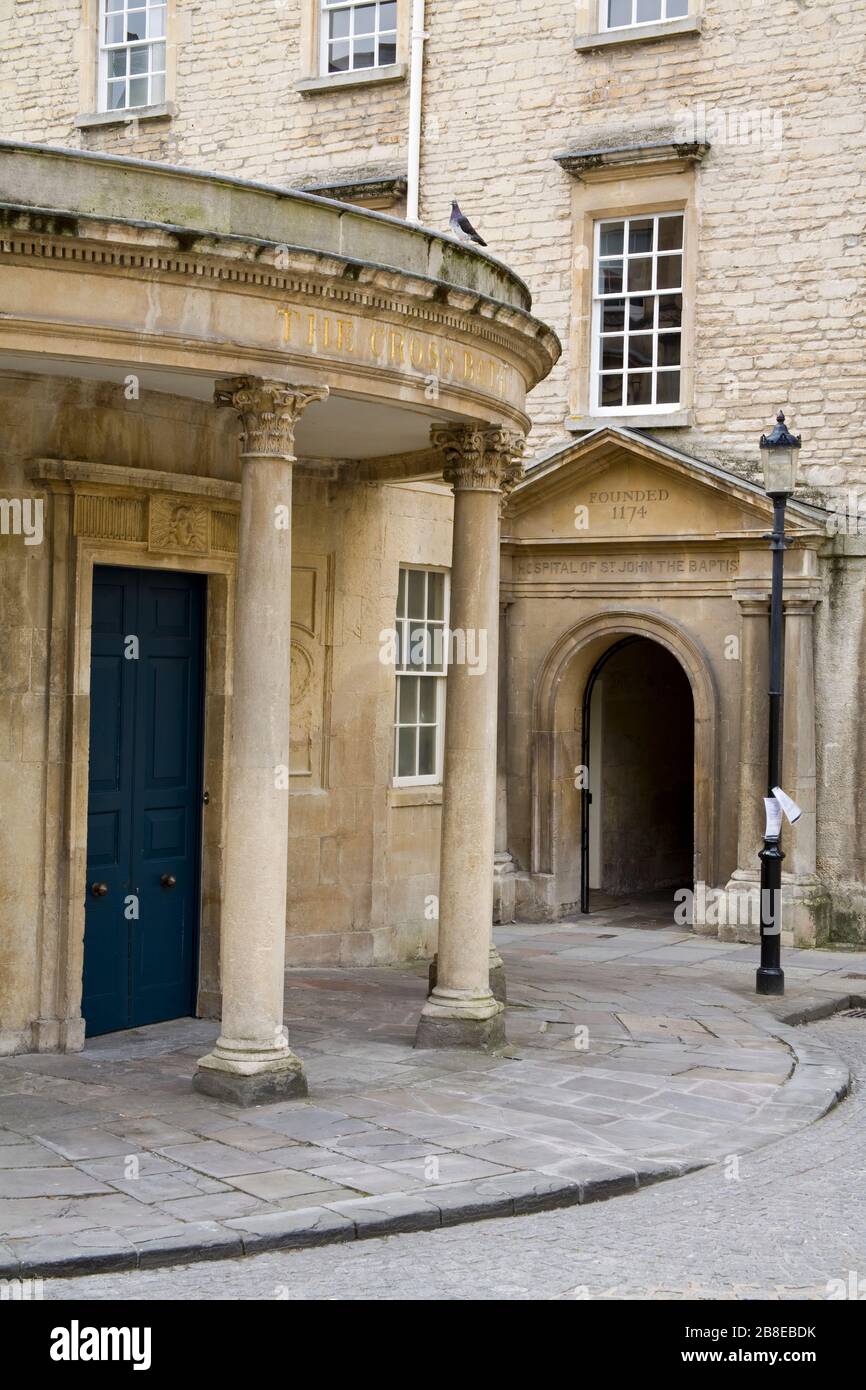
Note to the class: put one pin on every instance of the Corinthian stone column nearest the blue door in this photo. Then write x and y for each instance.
(252, 1060)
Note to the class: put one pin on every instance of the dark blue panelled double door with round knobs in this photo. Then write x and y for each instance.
(144, 814)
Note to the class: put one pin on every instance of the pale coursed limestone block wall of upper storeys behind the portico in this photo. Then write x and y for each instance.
(775, 90)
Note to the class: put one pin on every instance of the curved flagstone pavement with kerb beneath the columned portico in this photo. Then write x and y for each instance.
(637, 1053)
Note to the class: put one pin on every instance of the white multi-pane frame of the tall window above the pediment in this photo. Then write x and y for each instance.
(598, 300)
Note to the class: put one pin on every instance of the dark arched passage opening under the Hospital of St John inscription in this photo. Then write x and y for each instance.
(639, 755)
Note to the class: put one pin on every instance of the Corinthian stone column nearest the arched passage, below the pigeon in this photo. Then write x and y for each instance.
(461, 1011)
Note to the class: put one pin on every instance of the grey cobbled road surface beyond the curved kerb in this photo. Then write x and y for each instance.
(783, 1229)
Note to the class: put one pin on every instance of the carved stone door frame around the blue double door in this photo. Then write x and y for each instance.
(73, 557)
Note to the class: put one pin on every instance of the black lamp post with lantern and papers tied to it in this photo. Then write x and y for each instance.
(779, 458)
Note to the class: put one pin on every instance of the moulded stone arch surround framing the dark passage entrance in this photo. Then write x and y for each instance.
(557, 747)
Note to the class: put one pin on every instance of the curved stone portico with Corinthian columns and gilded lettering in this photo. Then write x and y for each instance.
(351, 351)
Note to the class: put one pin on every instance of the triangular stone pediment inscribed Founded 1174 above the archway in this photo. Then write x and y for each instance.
(621, 486)
